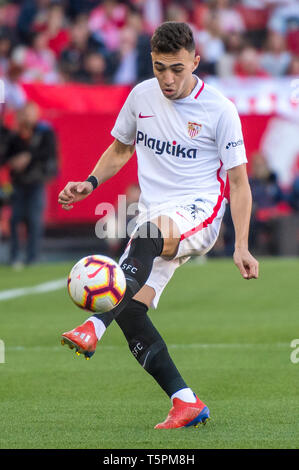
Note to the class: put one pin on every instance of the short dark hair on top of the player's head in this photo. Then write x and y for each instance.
(172, 36)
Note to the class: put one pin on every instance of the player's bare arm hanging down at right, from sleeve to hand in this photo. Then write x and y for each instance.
(240, 204)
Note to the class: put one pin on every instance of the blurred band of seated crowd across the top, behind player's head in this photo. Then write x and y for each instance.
(107, 41)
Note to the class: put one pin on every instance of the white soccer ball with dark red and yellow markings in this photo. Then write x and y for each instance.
(96, 283)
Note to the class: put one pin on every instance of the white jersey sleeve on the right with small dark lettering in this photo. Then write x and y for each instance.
(229, 138)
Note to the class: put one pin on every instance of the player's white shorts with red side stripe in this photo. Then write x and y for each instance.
(199, 224)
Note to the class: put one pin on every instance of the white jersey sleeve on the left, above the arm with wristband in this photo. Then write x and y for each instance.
(125, 126)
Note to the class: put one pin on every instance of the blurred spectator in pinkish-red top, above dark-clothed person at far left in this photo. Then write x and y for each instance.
(38, 61)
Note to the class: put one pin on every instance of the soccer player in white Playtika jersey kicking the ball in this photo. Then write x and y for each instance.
(187, 137)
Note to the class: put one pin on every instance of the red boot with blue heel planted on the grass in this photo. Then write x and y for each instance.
(184, 414)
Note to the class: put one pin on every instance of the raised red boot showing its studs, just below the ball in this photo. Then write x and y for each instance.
(83, 338)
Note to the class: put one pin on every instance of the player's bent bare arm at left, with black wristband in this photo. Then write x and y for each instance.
(112, 160)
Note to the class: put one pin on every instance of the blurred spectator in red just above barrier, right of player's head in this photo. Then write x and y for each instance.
(248, 64)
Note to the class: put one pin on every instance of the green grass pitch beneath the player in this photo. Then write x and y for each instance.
(230, 338)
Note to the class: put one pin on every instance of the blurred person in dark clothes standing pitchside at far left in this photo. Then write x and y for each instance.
(32, 158)
